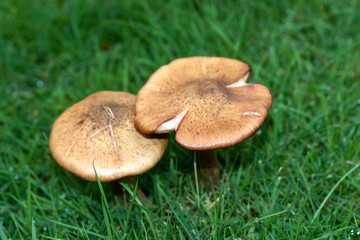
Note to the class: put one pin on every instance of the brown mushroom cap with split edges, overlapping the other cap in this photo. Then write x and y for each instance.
(206, 100)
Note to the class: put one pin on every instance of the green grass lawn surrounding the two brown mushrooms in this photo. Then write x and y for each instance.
(296, 179)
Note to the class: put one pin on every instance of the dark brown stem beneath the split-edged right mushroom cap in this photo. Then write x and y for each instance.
(209, 167)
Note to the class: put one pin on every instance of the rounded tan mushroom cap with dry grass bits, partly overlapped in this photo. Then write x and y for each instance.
(81, 138)
